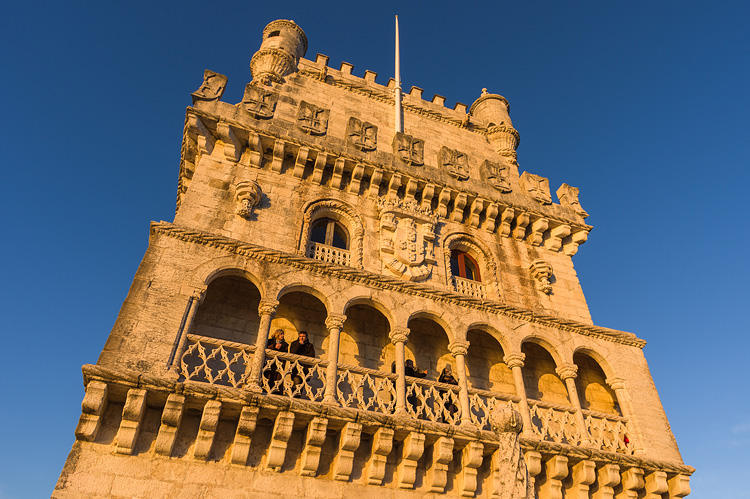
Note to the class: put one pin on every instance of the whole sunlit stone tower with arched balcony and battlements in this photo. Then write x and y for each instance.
(452, 348)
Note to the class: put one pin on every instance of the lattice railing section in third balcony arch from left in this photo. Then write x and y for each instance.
(366, 389)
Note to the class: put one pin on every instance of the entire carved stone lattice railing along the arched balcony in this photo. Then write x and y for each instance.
(220, 362)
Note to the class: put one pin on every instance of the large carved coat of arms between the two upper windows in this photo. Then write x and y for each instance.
(407, 241)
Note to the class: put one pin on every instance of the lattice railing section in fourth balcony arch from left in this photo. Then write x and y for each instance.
(433, 401)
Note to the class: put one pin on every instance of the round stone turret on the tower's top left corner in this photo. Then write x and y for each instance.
(283, 44)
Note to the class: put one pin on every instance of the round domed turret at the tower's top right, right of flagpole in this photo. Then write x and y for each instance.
(494, 111)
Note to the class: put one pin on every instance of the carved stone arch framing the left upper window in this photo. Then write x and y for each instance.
(336, 210)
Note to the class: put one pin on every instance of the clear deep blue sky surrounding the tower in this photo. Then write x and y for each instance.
(643, 105)
